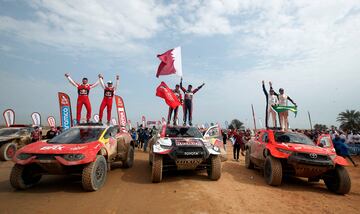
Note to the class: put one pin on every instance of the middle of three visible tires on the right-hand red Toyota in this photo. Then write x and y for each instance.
(273, 171)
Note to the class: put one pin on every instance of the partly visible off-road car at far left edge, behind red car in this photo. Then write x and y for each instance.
(12, 138)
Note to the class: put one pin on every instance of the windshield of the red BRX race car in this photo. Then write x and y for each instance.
(78, 136)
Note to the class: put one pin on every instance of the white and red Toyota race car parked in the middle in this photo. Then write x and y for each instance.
(183, 148)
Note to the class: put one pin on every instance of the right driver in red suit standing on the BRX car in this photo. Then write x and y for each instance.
(109, 92)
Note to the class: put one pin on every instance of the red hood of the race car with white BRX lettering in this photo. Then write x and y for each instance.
(43, 147)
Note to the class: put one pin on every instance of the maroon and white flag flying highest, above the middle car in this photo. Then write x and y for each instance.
(170, 62)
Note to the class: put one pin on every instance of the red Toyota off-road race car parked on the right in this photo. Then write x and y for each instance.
(281, 153)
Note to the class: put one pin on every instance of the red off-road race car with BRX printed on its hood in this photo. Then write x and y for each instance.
(87, 150)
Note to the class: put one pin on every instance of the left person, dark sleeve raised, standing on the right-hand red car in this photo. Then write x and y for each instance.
(271, 100)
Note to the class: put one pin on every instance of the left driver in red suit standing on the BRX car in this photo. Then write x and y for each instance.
(83, 96)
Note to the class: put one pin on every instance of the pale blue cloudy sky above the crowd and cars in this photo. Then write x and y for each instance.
(310, 48)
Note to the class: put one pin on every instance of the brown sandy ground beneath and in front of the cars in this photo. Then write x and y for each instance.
(130, 191)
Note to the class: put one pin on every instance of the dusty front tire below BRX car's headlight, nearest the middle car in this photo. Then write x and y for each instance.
(94, 174)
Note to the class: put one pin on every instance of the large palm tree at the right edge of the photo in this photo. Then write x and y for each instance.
(349, 120)
